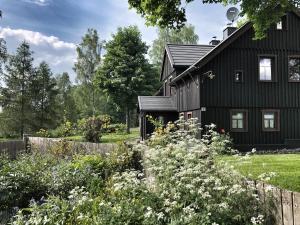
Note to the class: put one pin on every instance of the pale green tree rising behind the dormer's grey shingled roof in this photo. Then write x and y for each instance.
(165, 35)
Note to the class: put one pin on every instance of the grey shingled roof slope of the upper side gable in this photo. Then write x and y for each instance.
(186, 55)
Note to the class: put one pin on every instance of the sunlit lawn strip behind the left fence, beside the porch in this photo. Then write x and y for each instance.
(112, 138)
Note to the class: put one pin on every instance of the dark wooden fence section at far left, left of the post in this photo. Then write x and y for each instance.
(12, 148)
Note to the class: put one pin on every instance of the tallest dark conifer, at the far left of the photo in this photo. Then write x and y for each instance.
(16, 91)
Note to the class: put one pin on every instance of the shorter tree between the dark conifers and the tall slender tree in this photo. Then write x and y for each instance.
(67, 105)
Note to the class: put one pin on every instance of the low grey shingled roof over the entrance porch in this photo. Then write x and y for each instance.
(156, 103)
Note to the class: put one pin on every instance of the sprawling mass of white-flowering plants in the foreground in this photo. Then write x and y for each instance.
(180, 184)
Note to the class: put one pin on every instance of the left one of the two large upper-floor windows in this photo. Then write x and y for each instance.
(266, 68)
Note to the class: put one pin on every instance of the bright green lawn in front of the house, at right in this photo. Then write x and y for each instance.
(286, 167)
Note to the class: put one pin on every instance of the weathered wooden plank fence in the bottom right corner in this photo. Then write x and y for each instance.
(287, 204)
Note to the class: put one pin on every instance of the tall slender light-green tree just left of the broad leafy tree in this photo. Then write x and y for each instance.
(88, 59)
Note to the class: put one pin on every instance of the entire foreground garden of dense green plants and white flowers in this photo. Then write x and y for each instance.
(172, 178)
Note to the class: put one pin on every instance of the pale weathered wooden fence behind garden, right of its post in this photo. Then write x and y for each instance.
(43, 144)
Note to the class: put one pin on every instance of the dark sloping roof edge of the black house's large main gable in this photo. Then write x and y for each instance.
(219, 48)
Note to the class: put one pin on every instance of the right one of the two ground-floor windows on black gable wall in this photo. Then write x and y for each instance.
(270, 120)
